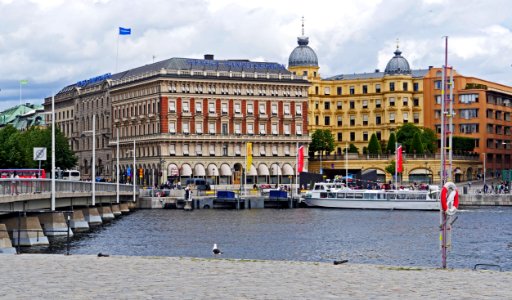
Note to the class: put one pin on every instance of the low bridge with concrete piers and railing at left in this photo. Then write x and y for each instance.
(27, 218)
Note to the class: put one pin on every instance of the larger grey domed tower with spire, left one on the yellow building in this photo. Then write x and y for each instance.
(303, 60)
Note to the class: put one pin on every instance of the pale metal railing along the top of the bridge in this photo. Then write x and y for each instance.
(17, 186)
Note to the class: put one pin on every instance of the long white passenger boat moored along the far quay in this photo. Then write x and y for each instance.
(332, 195)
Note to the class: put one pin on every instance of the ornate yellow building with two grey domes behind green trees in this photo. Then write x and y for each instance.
(354, 106)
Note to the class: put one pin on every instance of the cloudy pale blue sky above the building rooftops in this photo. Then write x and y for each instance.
(53, 43)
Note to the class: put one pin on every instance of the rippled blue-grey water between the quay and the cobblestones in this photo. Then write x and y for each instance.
(404, 238)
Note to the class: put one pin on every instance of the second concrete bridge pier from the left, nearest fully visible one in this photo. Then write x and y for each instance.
(30, 233)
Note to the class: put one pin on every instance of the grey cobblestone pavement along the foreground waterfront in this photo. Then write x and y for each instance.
(39, 276)
